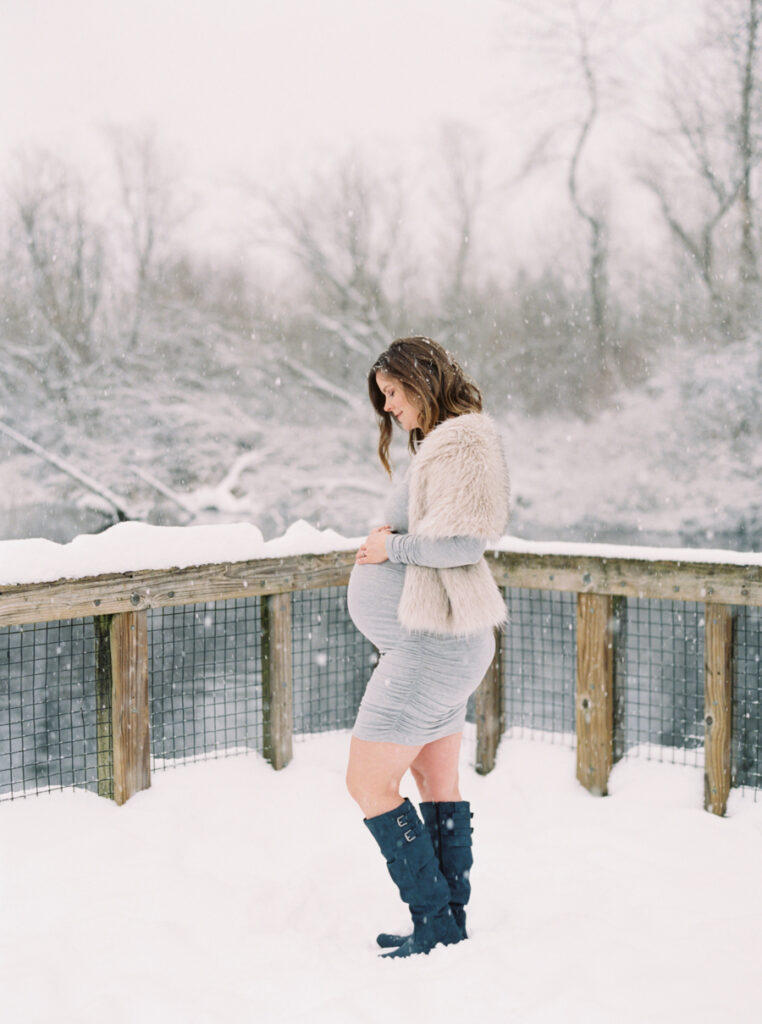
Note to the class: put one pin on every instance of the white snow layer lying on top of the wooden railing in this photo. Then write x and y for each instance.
(134, 546)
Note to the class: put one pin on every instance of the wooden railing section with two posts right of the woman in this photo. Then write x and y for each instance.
(601, 585)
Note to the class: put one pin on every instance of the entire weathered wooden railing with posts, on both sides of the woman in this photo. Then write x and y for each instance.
(119, 605)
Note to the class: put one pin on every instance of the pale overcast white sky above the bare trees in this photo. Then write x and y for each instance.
(249, 91)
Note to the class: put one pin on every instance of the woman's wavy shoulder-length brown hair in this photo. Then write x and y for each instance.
(432, 379)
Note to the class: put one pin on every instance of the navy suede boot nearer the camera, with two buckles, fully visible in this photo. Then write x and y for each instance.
(415, 869)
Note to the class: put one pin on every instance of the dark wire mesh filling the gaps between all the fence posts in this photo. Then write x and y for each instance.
(206, 684)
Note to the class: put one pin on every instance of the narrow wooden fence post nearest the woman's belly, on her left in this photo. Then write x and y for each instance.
(277, 679)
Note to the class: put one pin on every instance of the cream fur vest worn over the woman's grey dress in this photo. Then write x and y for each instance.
(458, 487)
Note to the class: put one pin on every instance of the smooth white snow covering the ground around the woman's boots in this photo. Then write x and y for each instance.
(231, 893)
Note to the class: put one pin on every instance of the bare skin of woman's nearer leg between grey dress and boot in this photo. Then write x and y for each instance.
(374, 775)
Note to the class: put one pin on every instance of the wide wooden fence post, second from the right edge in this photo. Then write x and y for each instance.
(595, 692)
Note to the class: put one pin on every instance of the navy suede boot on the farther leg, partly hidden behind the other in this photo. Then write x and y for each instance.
(449, 825)
